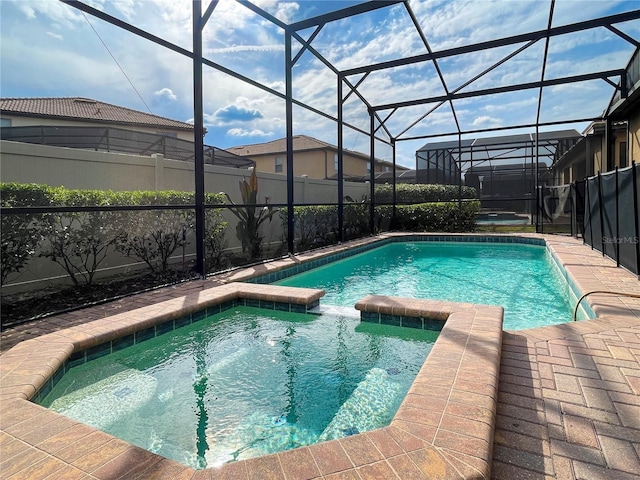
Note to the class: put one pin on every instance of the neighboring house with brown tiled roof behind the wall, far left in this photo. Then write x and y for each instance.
(84, 123)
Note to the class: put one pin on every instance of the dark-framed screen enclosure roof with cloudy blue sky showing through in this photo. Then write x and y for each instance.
(380, 77)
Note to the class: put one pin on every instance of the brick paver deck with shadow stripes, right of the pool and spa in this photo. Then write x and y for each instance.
(569, 395)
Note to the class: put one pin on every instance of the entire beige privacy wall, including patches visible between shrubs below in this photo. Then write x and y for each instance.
(86, 169)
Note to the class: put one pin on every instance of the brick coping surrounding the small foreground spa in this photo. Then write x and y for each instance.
(424, 438)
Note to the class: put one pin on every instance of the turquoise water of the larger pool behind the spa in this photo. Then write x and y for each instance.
(521, 278)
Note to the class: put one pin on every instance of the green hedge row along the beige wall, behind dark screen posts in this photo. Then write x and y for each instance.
(81, 241)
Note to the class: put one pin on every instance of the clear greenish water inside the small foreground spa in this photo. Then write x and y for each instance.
(246, 382)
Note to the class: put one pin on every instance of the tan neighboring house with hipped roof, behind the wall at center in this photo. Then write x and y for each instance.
(312, 157)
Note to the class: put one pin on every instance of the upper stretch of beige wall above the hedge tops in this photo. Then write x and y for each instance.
(85, 169)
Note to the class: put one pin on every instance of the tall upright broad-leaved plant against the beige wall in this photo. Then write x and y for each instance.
(250, 216)
